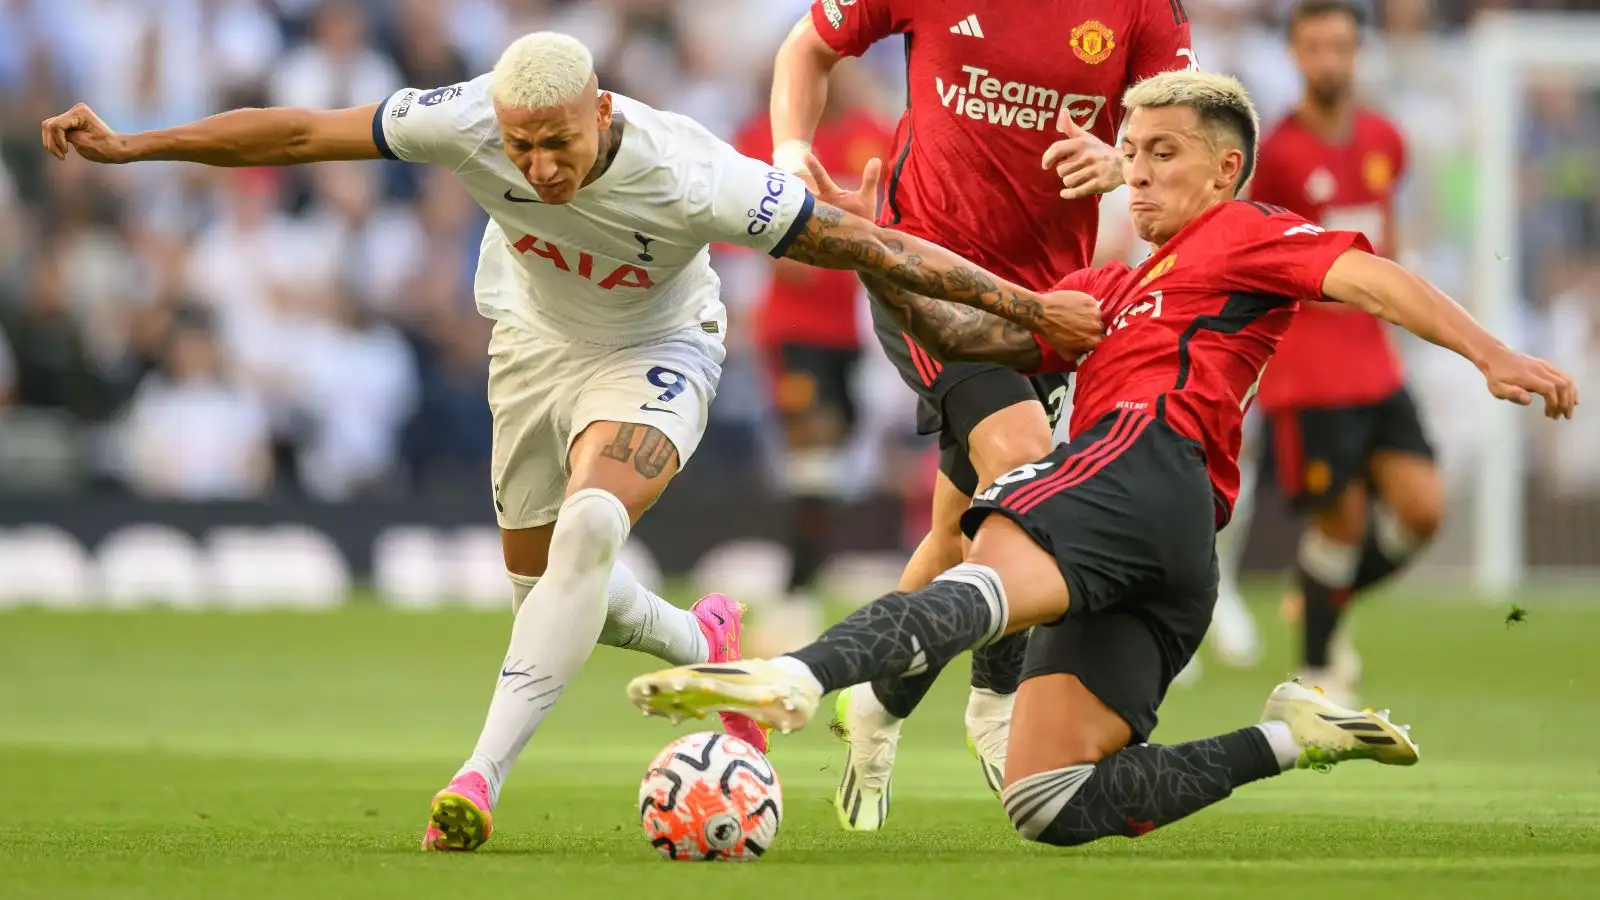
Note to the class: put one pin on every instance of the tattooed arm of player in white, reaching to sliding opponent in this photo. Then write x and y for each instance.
(834, 239)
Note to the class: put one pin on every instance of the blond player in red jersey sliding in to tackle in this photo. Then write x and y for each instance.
(1106, 547)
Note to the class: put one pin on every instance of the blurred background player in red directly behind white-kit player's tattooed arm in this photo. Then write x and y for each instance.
(809, 332)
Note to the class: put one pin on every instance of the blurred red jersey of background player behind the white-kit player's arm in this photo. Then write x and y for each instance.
(806, 305)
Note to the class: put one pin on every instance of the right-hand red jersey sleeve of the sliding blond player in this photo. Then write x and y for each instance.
(1276, 252)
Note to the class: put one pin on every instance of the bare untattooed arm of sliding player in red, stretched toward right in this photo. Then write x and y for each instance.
(1396, 295)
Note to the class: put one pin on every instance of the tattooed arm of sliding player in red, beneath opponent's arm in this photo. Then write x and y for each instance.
(959, 334)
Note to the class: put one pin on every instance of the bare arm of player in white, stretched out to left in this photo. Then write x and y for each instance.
(238, 139)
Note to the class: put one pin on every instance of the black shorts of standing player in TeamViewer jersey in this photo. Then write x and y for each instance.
(953, 400)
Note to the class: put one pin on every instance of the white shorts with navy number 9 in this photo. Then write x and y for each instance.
(545, 393)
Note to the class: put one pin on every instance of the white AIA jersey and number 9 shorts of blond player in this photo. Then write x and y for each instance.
(607, 307)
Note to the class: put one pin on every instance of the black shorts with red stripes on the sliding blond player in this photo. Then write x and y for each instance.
(1129, 513)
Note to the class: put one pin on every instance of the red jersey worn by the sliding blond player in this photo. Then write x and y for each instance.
(1193, 327)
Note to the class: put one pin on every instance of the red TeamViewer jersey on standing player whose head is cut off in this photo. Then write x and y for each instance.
(986, 84)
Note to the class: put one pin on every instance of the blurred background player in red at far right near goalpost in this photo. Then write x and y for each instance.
(1350, 446)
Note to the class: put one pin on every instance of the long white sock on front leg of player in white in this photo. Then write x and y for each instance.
(556, 630)
